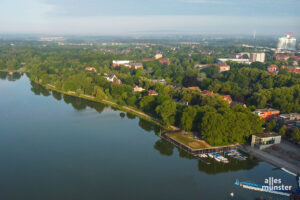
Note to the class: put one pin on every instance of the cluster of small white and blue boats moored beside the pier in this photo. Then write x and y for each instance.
(219, 158)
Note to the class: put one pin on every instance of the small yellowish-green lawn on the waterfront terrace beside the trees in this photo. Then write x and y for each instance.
(188, 140)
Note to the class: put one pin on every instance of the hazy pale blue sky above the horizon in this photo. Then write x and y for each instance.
(117, 17)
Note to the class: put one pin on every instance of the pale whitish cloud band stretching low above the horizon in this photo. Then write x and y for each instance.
(118, 25)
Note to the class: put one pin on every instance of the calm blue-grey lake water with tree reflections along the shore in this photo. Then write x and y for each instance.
(57, 147)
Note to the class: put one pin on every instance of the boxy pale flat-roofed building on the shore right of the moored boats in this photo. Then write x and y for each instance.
(265, 140)
